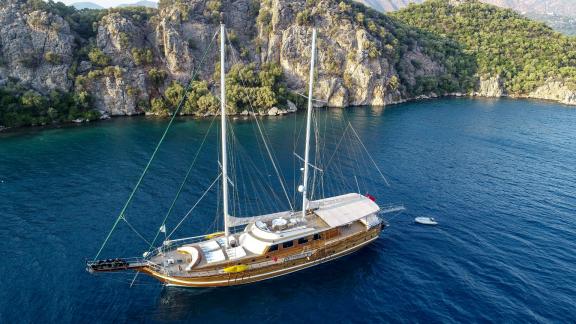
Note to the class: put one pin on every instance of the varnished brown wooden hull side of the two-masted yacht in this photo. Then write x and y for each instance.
(327, 253)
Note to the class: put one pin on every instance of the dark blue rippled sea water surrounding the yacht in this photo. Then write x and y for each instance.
(499, 175)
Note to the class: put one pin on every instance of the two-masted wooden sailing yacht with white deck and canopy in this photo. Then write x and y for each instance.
(252, 249)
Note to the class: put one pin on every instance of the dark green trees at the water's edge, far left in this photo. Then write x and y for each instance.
(22, 107)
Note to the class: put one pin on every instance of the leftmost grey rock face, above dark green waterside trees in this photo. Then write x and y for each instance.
(36, 48)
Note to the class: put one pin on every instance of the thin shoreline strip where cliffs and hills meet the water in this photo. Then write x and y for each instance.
(243, 116)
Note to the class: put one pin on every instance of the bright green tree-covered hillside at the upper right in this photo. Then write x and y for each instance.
(522, 52)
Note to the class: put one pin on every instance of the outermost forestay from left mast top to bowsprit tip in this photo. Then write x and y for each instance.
(145, 171)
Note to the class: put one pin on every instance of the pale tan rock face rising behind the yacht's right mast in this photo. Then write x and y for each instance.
(347, 73)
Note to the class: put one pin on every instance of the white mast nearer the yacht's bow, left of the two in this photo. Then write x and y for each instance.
(223, 131)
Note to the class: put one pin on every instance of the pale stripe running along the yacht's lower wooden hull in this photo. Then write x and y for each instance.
(186, 283)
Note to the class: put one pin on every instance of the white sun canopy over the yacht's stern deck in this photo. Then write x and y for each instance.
(345, 209)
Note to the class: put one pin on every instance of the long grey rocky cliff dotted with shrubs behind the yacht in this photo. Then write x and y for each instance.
(129, 60)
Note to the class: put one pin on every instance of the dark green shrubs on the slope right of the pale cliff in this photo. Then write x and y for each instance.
(393, 39)
